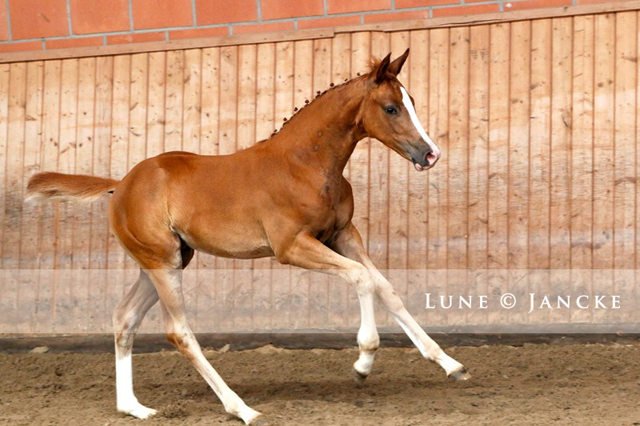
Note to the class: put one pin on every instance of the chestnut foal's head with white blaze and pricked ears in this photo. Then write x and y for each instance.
(388, 115)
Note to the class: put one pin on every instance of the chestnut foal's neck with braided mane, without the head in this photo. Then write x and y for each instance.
(324, 133)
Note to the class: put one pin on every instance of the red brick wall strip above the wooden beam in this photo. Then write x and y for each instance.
(28, 25)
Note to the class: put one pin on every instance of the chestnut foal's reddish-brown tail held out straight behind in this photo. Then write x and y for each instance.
(57, 185)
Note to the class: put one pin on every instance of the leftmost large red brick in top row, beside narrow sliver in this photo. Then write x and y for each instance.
(37, 19)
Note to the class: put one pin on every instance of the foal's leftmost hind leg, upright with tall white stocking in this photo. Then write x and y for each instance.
(126, 320)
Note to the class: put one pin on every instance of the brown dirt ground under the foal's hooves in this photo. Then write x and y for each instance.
(530, 385)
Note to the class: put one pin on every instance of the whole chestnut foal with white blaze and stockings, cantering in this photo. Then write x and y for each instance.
(285, 197)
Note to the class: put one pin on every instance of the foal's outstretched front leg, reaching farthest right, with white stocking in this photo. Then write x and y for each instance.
(349, 243)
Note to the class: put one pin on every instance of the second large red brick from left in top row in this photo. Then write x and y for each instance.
(99, 16)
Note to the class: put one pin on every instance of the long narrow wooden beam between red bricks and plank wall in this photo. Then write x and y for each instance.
(243, 39)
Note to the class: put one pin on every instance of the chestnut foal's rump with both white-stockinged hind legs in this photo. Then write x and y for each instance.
(141, 218)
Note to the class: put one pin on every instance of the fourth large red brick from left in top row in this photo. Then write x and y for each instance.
(211, 12)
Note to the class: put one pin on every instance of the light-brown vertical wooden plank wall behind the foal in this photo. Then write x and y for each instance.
(537, 121)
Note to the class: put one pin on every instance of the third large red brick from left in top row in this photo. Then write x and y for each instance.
(149, 14)
